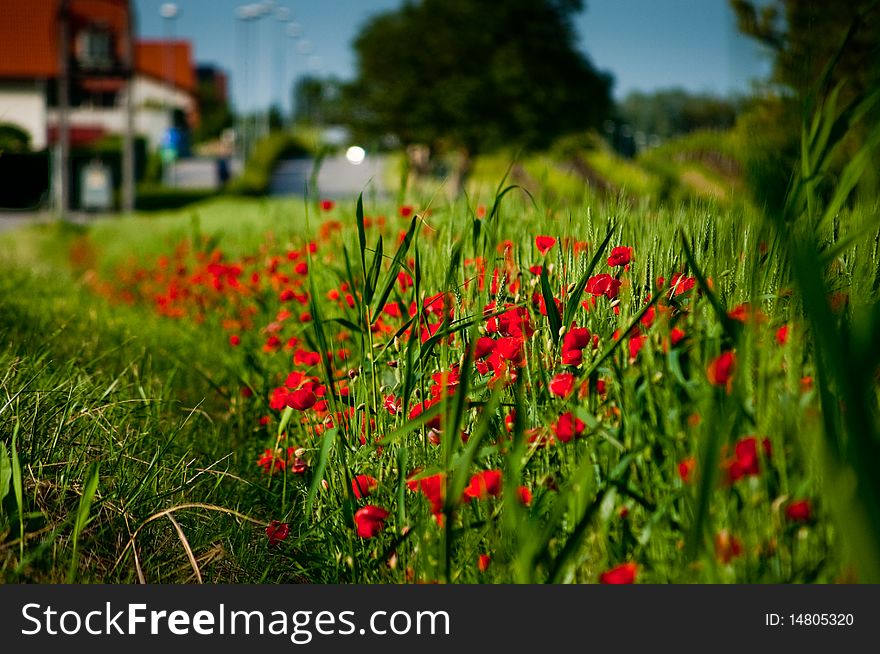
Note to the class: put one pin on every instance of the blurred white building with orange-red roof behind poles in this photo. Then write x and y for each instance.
(164, 78)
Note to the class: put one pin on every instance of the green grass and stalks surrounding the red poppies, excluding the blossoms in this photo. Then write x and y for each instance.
(156, 402)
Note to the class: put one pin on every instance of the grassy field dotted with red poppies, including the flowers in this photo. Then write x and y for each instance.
(511, 395)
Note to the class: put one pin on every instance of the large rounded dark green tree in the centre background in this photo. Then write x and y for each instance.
(476, 74)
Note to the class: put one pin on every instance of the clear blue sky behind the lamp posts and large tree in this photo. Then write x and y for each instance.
(645, 44)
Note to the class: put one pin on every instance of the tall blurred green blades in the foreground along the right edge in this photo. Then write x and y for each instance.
(848, 363)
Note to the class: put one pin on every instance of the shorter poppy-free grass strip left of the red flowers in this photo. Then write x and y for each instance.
(85, 383)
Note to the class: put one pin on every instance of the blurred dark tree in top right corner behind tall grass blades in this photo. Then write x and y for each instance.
(804, 36)
